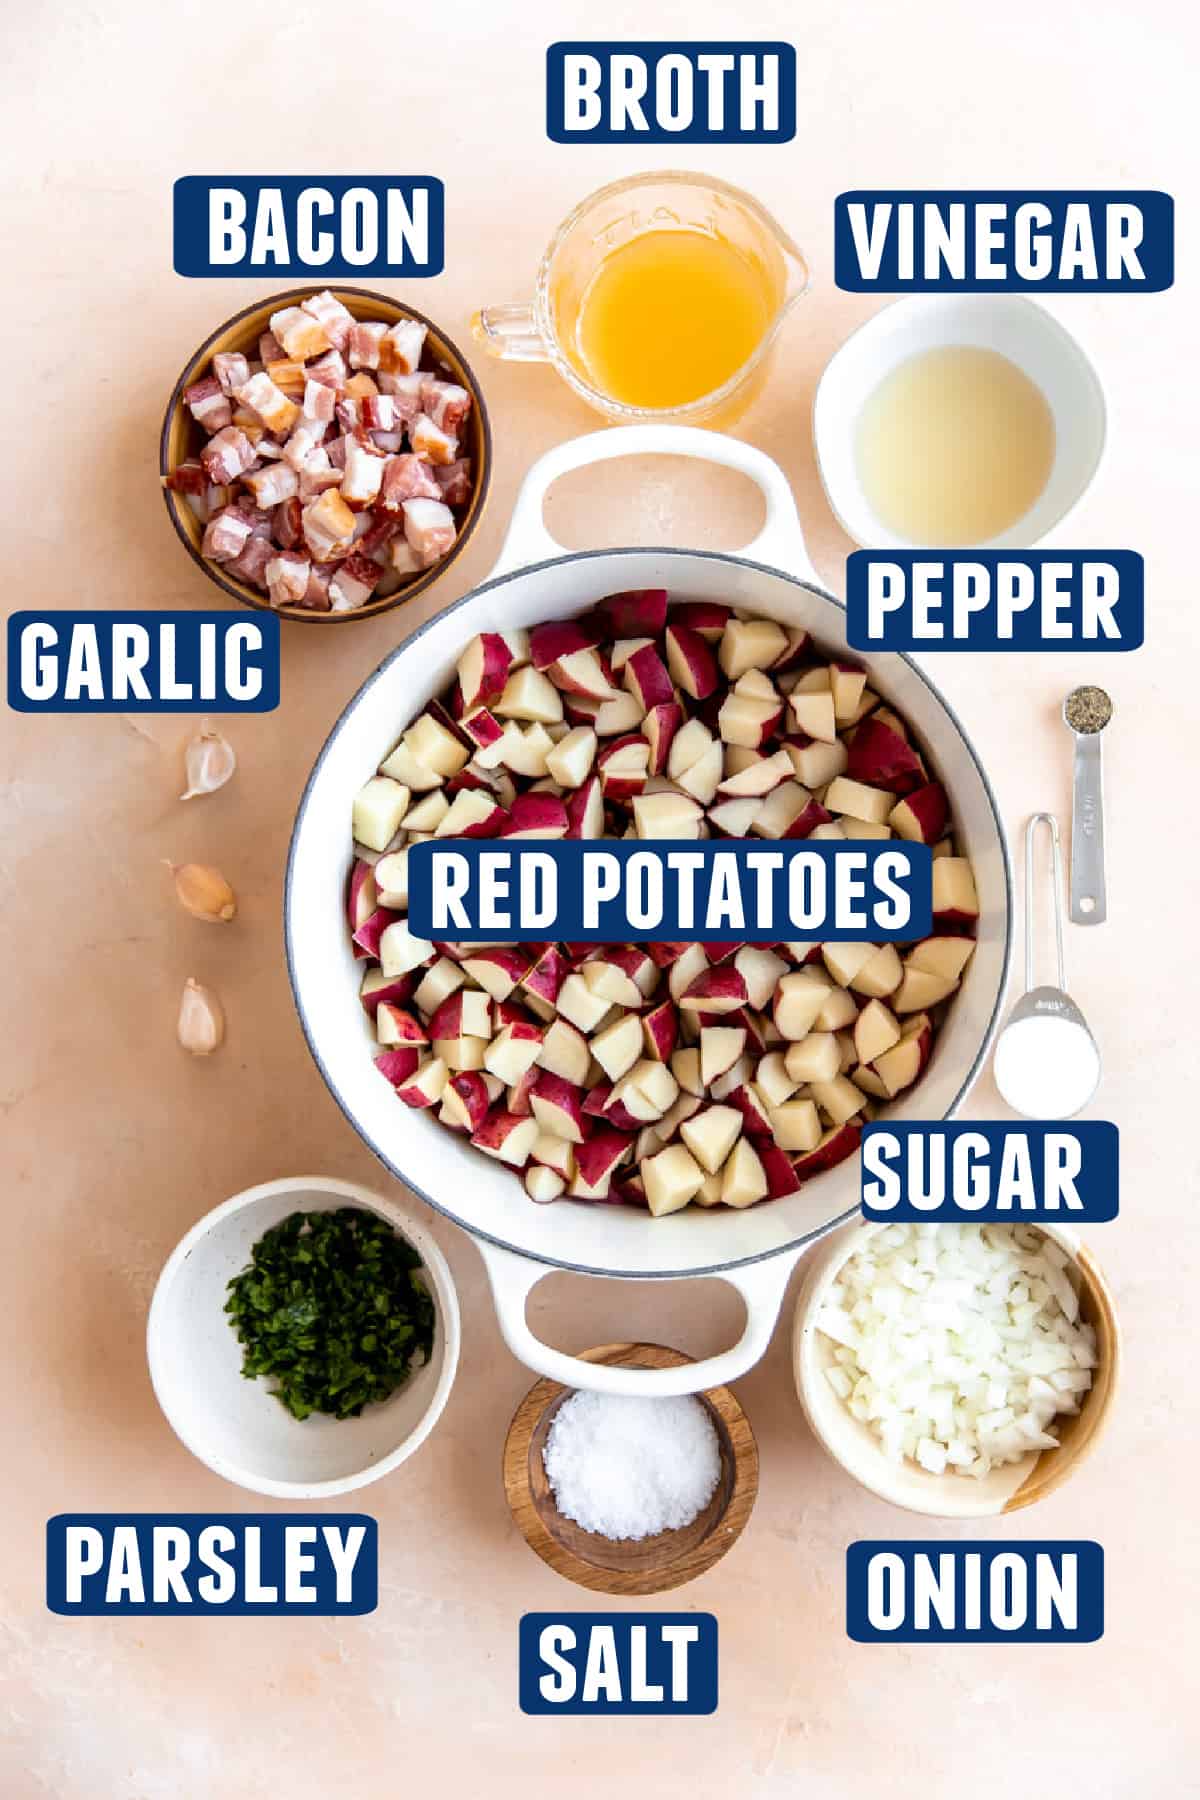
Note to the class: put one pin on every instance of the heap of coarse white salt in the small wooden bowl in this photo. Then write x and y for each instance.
(629, 1468)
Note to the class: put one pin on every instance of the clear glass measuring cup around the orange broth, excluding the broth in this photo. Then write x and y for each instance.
(548, 328)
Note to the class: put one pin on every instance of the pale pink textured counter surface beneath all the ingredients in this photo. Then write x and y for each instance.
(116, 1142)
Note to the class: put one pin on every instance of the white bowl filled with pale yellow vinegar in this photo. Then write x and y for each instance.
(960, 420)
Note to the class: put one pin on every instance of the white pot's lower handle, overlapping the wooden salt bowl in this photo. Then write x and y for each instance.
(760, 1284)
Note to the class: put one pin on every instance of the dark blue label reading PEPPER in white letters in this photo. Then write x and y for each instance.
(994, 600)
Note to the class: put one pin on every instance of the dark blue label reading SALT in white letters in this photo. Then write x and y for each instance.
(618, 1662)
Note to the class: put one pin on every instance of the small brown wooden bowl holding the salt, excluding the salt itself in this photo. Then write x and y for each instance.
(629, 1565)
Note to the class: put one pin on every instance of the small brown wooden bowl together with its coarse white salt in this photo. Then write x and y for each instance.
(631, 1497)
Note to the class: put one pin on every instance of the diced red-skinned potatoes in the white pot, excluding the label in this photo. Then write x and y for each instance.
(722, 1074)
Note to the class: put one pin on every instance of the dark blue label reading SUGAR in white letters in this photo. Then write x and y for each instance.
(976, 1173)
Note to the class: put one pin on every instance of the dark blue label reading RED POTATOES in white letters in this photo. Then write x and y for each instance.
(634, 892)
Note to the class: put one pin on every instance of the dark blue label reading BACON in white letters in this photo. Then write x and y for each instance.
(318, 228)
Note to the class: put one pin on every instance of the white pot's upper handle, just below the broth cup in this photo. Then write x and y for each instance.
(780, 543)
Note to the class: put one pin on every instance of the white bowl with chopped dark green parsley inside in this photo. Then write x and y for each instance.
(305, 1336)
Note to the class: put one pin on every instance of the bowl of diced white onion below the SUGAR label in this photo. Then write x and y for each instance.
(951, 1435)
